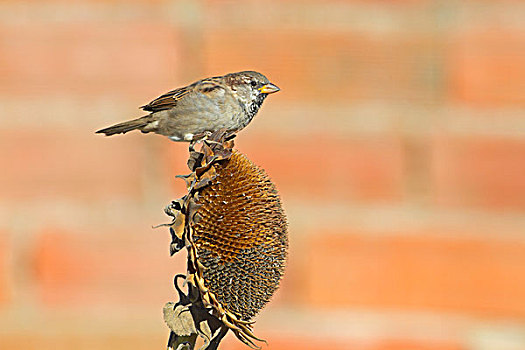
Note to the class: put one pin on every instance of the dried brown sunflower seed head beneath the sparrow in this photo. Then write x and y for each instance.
(234, 228)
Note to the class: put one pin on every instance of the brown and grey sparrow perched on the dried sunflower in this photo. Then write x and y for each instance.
(224, 102)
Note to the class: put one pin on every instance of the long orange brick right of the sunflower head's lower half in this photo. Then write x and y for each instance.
(420, 272)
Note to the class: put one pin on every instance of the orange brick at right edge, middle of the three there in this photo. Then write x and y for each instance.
(482, 171)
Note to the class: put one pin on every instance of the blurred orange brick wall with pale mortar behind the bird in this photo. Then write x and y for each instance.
(397, 142)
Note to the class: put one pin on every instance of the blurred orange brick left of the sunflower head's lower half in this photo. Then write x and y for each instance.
(130, 267)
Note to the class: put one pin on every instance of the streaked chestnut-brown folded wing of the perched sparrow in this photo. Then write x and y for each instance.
(171, 98)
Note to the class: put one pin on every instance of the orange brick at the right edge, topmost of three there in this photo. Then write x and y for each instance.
(487, 68)
